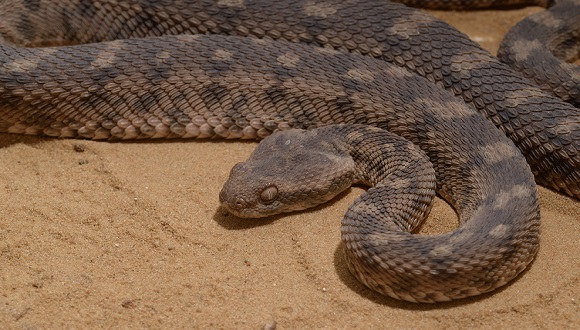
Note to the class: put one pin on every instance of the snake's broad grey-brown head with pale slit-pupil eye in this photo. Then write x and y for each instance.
(289, 171)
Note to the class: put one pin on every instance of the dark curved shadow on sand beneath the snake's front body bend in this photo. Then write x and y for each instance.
(352, 283)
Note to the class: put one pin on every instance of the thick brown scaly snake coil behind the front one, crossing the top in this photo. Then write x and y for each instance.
(545, 129)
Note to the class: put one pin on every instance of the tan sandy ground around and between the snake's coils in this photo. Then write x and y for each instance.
(130, 235)
